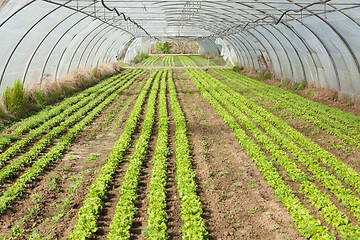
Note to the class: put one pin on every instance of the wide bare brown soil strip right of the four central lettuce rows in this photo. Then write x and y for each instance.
(238, 204)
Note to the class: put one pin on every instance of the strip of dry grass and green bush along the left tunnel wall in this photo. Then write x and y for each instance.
(19, 102)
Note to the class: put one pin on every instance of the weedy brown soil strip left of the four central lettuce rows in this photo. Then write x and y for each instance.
(86, 155)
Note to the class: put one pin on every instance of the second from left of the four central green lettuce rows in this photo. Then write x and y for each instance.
(125, 209)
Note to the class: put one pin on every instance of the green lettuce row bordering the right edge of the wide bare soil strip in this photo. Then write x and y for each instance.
(304, 220)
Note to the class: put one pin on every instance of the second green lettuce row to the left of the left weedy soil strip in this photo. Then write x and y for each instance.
(32, 154)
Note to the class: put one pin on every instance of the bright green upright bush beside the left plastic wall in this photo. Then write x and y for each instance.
(14, 99)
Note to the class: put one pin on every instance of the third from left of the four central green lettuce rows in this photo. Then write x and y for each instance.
(157, 229)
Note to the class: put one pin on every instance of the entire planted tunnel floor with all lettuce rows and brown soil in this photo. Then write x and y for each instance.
(182, 154)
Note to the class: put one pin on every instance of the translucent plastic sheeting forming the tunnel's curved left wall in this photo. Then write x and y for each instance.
(42, 42)
